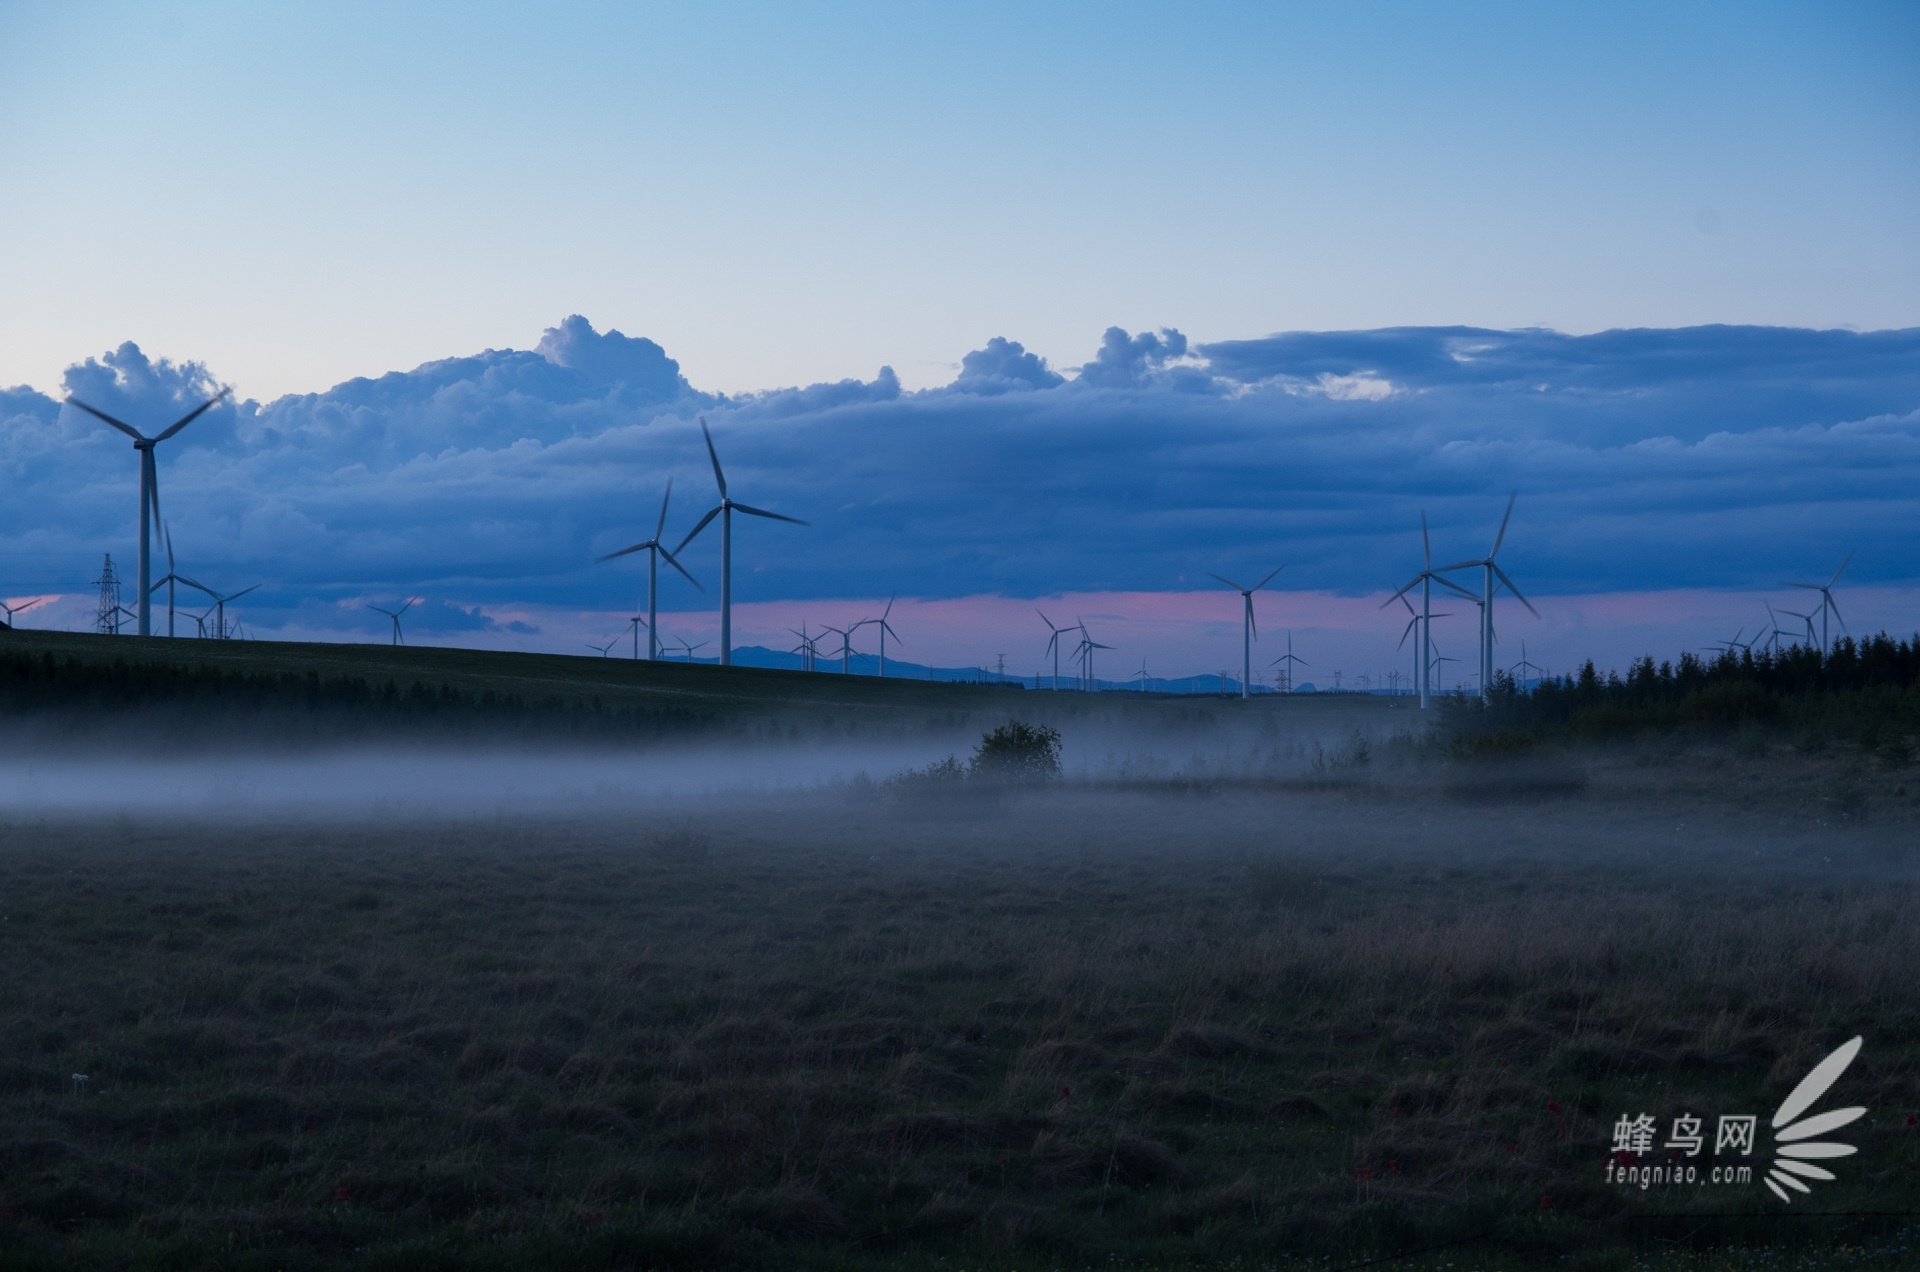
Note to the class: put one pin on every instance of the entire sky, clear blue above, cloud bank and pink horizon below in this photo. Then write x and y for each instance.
(1011, 305)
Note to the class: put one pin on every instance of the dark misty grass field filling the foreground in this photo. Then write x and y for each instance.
(1287, 1015)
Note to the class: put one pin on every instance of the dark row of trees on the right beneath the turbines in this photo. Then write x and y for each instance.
(1861, 691)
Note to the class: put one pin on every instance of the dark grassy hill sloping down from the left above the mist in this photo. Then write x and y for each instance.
(72, 681)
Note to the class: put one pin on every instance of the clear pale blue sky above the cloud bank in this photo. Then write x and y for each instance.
(784, 195)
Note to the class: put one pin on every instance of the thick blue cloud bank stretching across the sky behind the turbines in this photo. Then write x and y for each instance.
(1694, 458)
